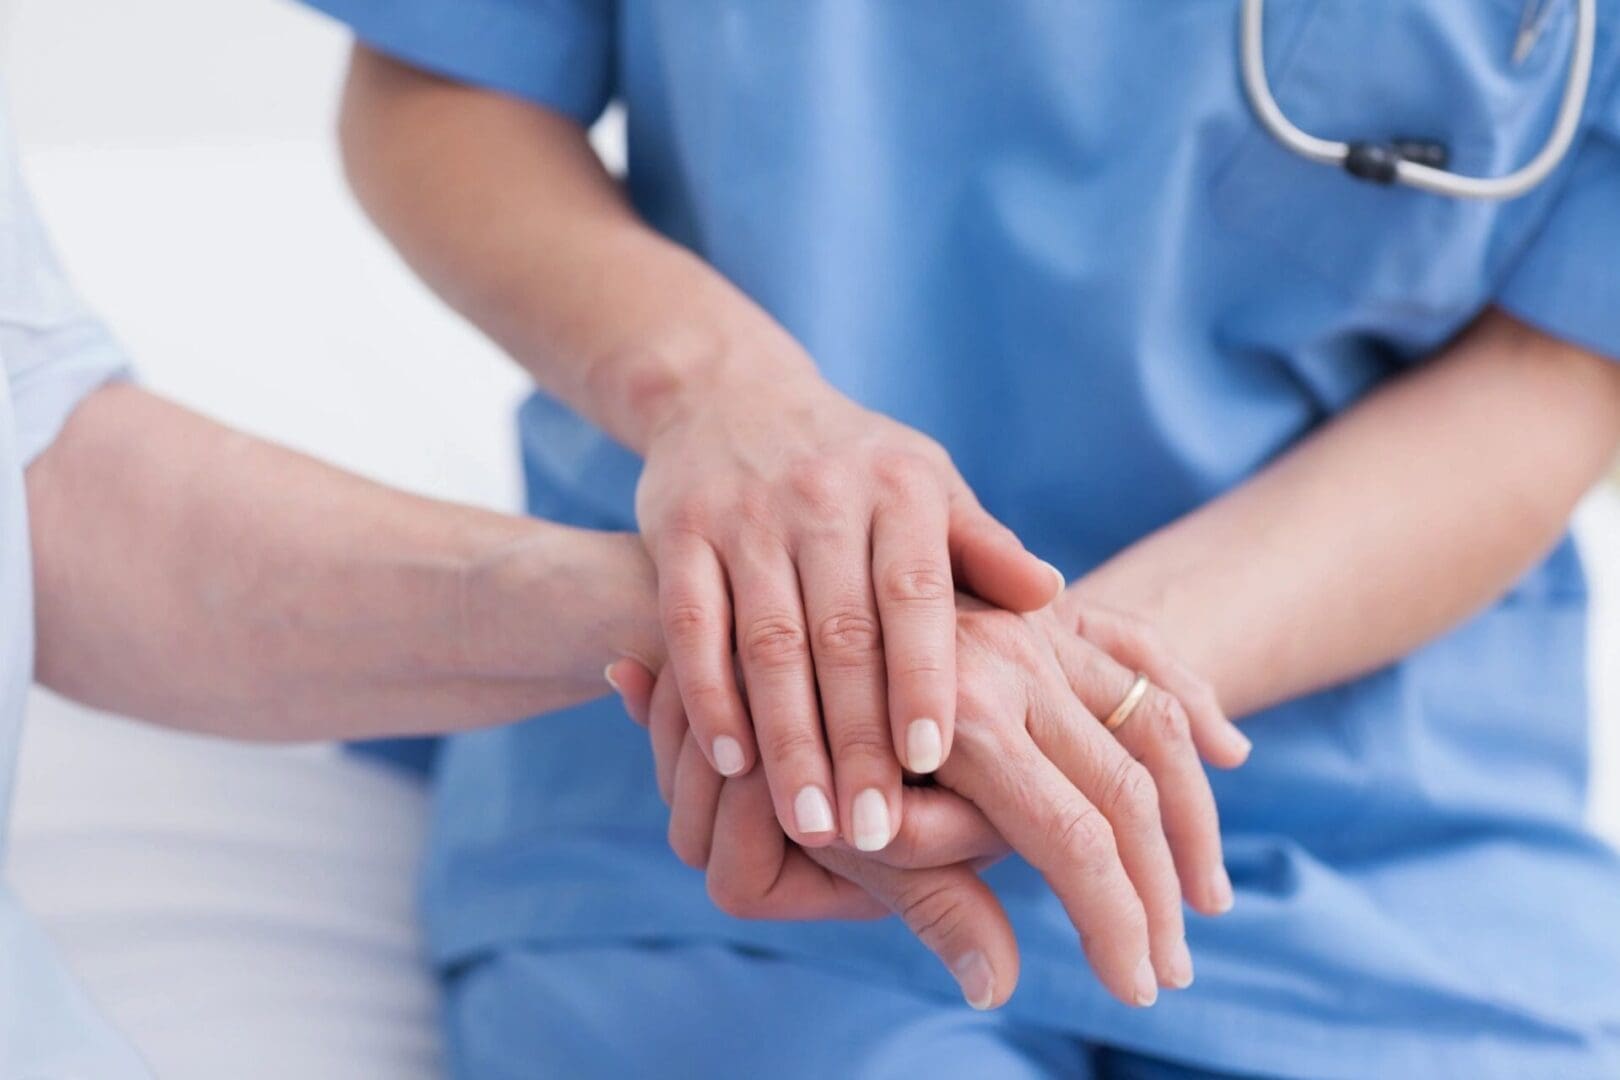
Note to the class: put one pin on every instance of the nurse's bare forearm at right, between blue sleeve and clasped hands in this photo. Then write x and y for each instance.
(1409, 514)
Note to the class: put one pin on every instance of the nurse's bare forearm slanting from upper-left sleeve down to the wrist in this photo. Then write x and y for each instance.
(506, 211)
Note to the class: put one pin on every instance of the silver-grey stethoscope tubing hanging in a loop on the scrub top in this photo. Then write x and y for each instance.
(1415, 174)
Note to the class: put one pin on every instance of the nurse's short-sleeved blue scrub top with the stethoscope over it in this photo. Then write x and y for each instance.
(1054, 237)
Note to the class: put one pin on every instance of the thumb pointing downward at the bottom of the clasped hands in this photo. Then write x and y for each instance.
(952, 912)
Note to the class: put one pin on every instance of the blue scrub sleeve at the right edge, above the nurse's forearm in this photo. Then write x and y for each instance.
(1569, 279)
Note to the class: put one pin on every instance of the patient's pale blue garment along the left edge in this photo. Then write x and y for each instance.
(53, 354)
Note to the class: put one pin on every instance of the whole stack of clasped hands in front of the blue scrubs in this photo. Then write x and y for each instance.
(816, 568)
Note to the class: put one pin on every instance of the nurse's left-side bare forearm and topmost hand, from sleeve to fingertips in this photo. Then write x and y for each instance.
(817, 540)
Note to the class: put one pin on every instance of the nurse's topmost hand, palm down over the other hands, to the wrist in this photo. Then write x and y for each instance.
(822, 545)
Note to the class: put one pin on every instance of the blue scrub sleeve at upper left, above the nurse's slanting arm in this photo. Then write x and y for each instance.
(553, 53)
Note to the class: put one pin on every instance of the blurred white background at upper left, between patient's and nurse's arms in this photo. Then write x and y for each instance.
(182, 153)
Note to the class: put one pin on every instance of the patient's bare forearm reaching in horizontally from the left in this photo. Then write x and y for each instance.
(202, 579)
